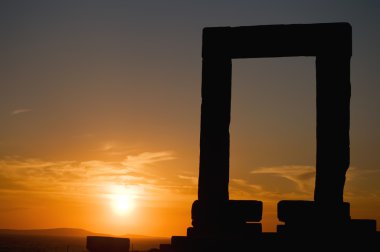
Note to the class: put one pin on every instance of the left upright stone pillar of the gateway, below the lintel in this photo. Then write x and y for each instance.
(215, 135)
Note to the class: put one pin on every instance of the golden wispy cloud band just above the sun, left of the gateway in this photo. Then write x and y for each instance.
(79, 178)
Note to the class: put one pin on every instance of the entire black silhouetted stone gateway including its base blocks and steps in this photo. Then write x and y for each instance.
(221, 224)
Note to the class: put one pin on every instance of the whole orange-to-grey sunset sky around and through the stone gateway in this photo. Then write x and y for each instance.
(100, 112)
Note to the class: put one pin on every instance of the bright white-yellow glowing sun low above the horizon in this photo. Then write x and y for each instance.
(122, 200)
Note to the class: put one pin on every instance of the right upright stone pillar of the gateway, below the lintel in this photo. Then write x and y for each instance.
(333, 125)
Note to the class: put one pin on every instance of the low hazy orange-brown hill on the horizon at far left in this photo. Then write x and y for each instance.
(50, 232)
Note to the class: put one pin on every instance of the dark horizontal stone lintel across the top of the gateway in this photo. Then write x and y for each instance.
(277, 40)
